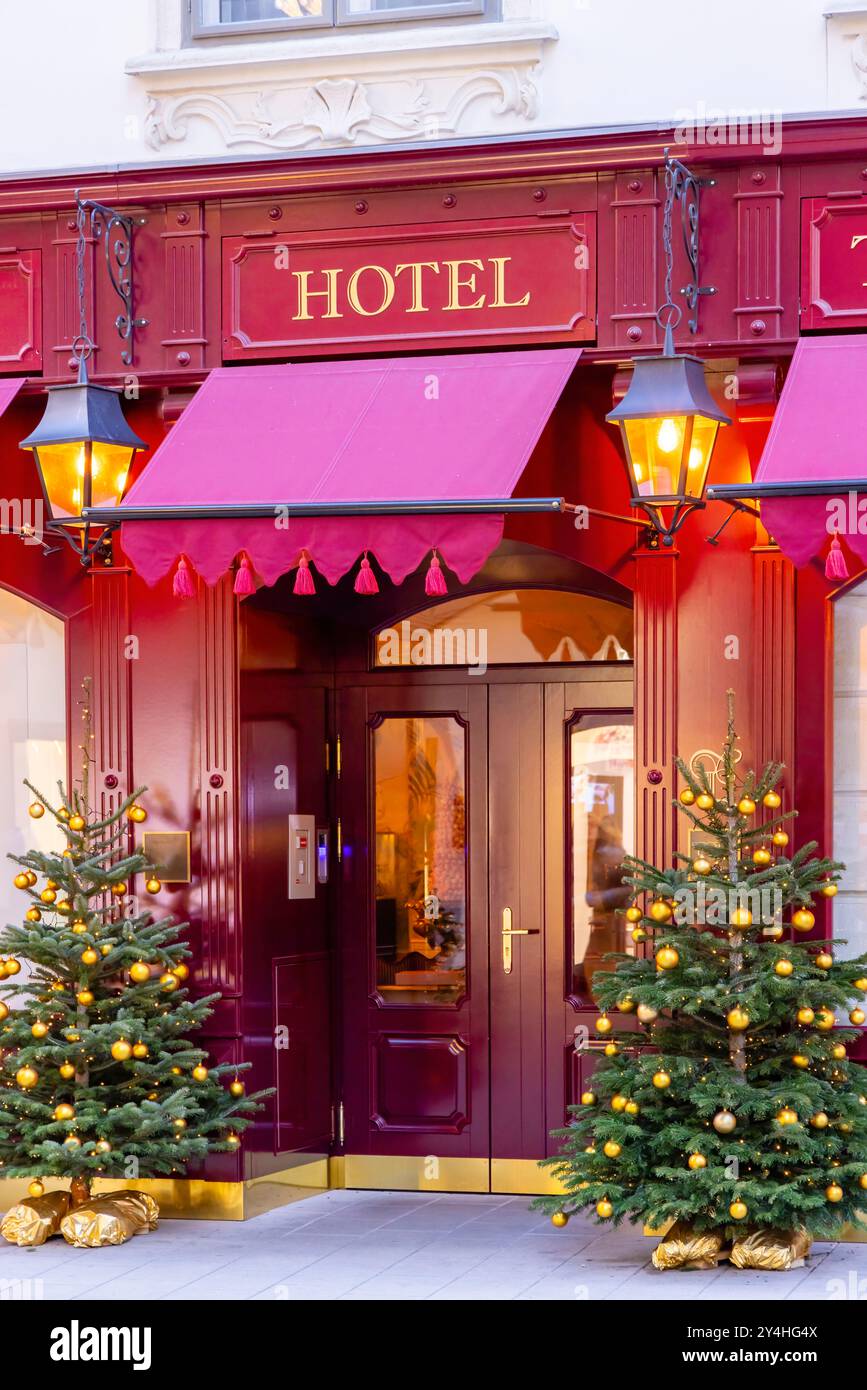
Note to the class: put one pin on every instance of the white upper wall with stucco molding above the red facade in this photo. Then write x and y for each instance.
(104, 83)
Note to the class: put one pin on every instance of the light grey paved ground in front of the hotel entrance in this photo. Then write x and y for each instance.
(409, 1246)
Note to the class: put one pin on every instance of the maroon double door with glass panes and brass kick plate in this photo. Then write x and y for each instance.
(461, 972)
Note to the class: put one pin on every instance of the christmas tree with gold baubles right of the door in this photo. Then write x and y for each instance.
(738, 1107)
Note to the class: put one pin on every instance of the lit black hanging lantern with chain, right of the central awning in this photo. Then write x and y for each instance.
(668, 419)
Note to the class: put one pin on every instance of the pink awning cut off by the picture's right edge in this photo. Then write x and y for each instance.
(815, 462)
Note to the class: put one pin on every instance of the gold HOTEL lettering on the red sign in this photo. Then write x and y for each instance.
(452, 286)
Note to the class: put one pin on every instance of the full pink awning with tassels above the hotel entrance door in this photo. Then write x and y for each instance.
(411, 429)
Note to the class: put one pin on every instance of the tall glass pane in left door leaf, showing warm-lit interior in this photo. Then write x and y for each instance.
(420, 860)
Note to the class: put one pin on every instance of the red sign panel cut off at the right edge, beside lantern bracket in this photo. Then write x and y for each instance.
(834, 263)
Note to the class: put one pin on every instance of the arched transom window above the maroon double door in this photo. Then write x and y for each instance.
(511, 628)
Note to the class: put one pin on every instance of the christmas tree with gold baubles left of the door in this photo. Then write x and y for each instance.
(99, 1078)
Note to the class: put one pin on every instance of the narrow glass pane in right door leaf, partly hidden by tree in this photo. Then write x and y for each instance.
(602, 833)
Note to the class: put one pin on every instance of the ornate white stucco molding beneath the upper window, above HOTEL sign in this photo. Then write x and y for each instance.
(402, 84)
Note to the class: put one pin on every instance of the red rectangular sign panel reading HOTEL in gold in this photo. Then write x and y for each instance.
(486, 284)
